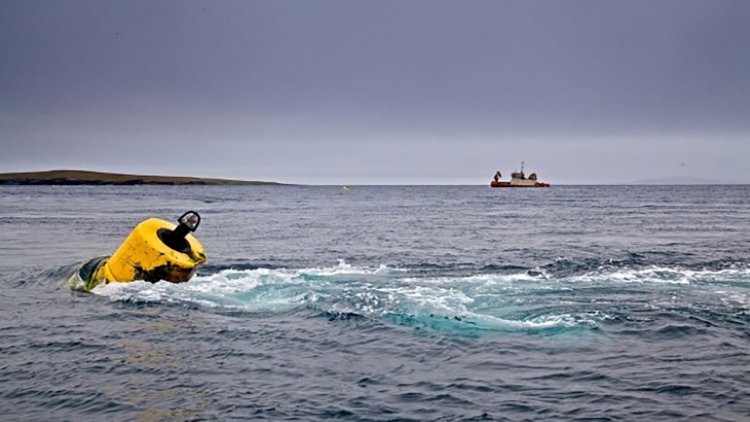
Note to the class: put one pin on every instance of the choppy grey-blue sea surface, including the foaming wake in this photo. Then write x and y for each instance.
(384, 303)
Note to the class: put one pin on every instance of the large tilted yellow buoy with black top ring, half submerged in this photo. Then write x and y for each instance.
(155, 250)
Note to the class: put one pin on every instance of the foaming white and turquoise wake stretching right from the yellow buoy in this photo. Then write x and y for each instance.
(526, 300)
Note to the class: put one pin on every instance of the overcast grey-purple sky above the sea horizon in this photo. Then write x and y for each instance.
(362, 92)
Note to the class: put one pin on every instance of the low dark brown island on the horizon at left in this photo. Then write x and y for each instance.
(79, 177)
